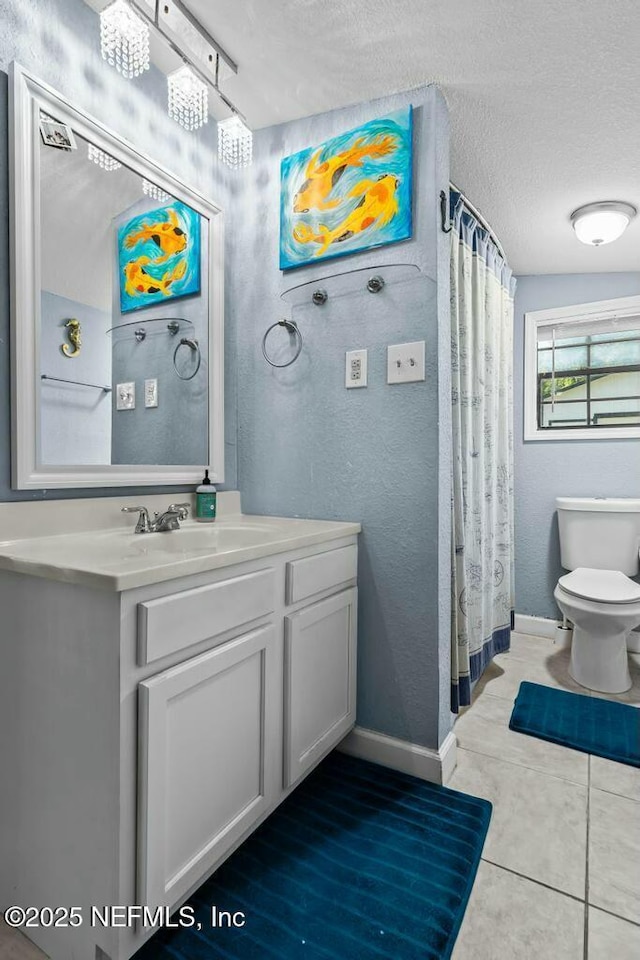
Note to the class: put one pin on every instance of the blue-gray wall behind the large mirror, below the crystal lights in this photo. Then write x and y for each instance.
(59, 41)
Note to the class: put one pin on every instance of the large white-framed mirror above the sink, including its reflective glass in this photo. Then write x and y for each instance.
(117, 307)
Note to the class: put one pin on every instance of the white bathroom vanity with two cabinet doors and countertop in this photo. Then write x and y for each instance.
(160, 695)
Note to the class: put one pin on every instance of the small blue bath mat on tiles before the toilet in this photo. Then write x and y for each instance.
(602, 727)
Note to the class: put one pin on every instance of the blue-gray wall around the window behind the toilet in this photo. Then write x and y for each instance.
(548, 469)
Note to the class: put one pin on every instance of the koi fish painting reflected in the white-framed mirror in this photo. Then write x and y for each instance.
(159, 256)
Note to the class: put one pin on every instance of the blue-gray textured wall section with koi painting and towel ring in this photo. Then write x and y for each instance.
(309, 447)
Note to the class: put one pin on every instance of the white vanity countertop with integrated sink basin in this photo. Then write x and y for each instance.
(118, 559)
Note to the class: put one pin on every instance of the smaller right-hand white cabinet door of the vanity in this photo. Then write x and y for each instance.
(320, 680)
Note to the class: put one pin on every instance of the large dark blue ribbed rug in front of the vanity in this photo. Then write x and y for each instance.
(358, 863)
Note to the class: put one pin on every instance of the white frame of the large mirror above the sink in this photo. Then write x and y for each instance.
(27, 96)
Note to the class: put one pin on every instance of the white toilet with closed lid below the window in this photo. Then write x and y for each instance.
(600, 544)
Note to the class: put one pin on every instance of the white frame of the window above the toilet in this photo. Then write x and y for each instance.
(624, 307)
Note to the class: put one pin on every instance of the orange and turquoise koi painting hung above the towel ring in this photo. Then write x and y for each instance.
(350, 194)
